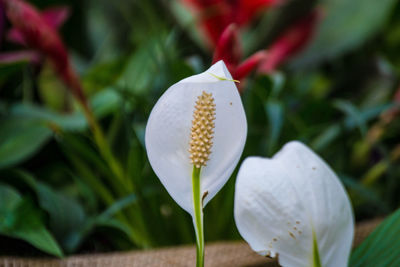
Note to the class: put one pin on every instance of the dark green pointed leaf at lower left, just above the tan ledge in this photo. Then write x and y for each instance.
(19, 218)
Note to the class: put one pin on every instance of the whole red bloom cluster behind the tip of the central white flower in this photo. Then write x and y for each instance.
(221, 20)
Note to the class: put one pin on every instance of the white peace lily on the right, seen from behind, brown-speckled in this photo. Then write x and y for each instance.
(294, 206)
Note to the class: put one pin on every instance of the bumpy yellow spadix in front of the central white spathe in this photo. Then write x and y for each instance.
(202, 130)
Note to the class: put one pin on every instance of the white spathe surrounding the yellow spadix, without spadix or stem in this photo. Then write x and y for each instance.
(168, 135)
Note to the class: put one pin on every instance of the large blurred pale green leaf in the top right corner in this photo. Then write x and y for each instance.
(345, 26)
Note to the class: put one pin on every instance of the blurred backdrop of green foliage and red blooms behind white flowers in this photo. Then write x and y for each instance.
(78, 82)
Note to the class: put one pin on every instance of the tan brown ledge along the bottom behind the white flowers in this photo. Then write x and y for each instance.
(218, 254)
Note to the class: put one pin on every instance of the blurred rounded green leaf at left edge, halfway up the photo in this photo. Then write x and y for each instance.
(20, 139)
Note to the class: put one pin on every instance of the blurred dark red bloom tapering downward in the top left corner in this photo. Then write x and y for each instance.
(38, 31)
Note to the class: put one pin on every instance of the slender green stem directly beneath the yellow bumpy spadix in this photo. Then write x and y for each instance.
(198, 217)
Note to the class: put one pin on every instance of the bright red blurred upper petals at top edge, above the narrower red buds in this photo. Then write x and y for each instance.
(215, 15)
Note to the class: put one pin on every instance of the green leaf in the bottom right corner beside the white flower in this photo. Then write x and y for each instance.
(381, 248)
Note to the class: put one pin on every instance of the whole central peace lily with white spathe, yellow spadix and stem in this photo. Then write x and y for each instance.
(194, 138)
